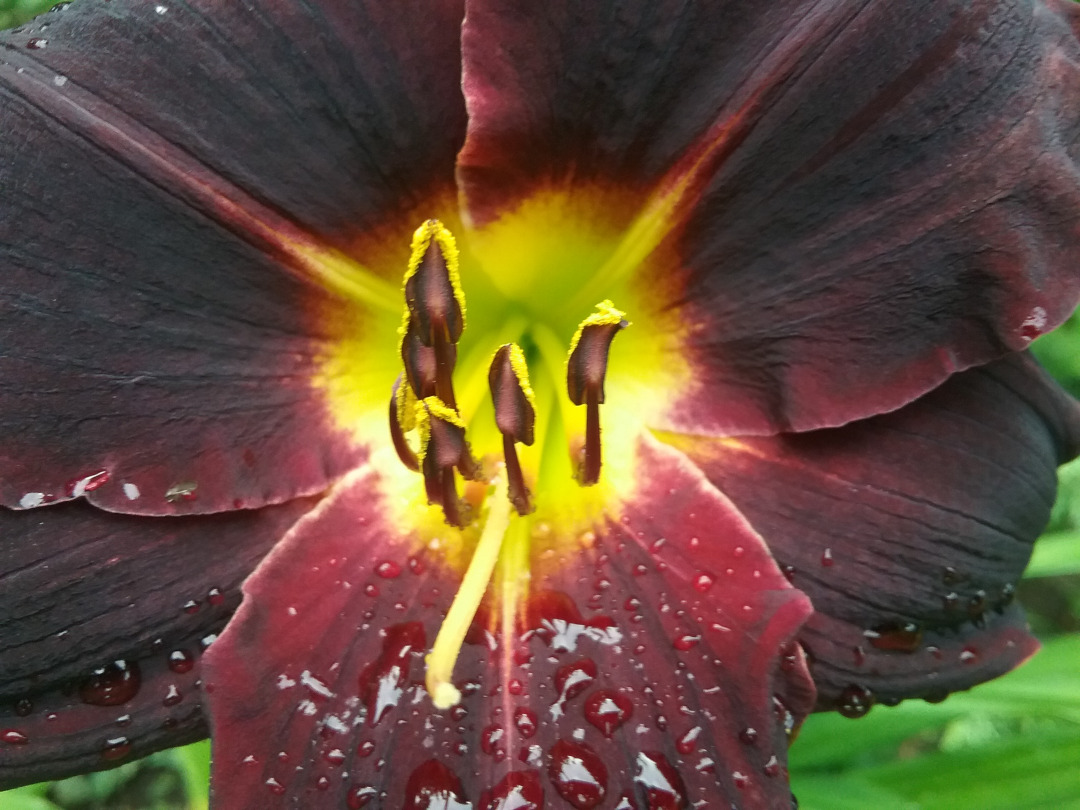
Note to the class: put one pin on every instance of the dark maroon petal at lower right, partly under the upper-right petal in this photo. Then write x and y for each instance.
(910, 531)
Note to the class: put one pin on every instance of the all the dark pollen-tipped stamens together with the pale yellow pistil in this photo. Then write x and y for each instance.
(424, 402)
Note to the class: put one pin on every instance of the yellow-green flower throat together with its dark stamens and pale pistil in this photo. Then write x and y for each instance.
(516, 436)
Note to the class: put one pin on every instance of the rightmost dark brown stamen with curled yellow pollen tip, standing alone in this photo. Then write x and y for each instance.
(586, 370)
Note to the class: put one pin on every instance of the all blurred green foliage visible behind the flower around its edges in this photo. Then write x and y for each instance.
(1011, 745)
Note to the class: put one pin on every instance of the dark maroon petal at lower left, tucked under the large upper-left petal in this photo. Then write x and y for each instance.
(83, 590)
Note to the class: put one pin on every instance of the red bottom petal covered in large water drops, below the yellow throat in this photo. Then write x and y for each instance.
(645, 669)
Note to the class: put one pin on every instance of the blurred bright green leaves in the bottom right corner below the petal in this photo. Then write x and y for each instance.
(1010, 745)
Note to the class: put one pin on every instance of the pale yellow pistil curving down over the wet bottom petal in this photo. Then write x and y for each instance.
(452, 634)
